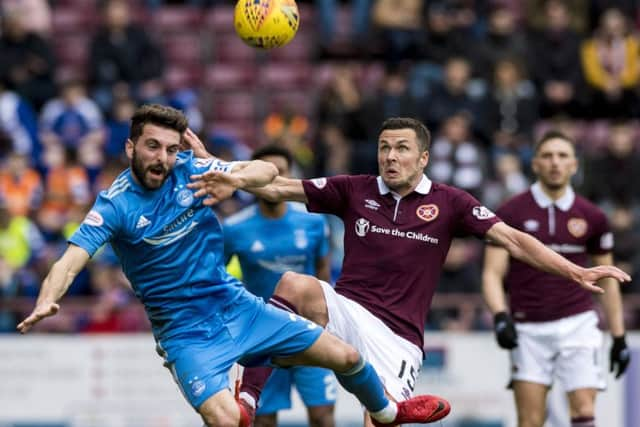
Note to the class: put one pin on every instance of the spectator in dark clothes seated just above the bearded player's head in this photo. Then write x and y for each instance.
(122, 55)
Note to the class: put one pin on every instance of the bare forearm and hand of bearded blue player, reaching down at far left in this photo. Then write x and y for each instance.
(55, 285)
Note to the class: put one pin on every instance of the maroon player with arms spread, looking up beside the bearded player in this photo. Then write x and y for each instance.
(398, 228)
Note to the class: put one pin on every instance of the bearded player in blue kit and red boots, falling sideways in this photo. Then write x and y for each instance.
(170, 246)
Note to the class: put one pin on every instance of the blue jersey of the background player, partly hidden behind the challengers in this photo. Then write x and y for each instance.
(268, 247)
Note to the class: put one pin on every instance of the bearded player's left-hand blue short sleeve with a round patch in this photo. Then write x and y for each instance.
(99, 226)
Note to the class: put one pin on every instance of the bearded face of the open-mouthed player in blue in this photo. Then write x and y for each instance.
(153, 155)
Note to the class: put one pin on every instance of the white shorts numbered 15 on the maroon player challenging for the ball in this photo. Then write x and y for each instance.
(396, 360)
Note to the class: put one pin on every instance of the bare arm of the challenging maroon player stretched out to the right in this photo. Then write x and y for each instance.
(530, 250)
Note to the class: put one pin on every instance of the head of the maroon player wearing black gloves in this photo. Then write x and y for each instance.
(555, 163)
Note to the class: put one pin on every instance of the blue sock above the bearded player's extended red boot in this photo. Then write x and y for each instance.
(363, 381)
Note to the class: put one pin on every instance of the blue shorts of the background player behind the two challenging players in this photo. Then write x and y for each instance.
(316, 386)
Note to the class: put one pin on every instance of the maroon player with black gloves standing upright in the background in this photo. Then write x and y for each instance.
(555, 332)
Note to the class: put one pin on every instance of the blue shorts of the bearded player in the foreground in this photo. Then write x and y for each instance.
(247, 331)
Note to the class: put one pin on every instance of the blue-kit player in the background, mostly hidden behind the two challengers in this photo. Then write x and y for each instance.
(270, 239)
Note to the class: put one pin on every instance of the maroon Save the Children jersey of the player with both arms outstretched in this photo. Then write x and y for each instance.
(394, 248)
